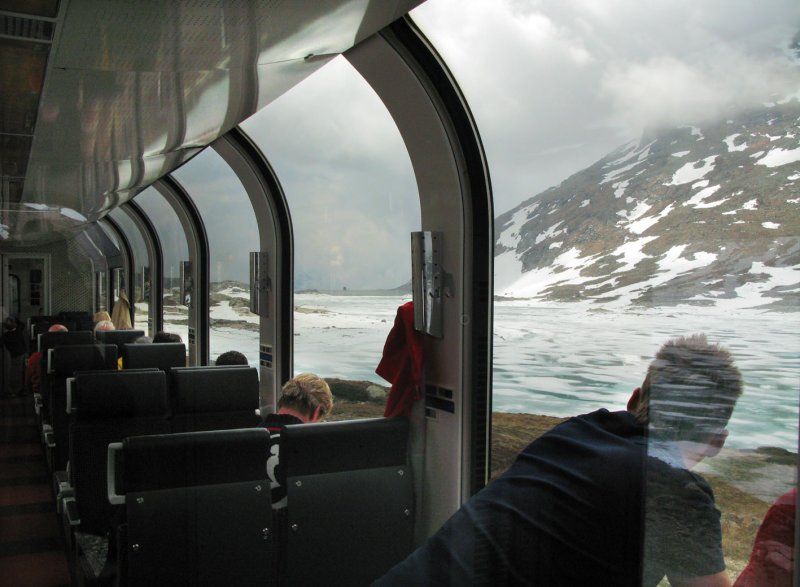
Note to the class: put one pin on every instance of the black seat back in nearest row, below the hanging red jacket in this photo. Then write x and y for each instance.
(346, 479)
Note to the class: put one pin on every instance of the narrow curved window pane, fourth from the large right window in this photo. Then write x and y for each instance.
(175, 250)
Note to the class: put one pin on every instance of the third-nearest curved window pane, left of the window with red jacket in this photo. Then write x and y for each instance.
(232, 234)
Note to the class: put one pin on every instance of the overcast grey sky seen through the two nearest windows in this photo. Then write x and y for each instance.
(553, 85)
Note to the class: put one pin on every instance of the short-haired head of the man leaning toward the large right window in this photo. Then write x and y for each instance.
(691, 389)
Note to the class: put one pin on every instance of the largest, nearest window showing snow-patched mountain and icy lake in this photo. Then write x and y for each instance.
(646, 179)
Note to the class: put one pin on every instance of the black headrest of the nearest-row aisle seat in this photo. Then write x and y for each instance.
(166, 461)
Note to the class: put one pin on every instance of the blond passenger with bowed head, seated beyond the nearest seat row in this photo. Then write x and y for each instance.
(306, 398)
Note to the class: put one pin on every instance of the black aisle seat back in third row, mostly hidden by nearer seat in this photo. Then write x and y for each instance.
(64, 362)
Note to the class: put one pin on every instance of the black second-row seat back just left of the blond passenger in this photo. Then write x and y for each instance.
(214, 398)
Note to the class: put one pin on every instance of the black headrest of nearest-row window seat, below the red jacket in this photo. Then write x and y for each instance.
(351, 445)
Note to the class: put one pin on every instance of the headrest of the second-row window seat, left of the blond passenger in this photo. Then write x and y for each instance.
(215, 389)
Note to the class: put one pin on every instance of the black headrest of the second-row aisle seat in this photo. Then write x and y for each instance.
(119, 394)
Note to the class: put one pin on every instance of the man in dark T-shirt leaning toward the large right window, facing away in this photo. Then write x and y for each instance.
(605, 498)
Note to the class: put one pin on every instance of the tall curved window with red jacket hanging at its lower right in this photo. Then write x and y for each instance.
(353, 201)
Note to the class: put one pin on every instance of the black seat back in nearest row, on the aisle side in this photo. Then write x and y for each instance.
(197, 508)
